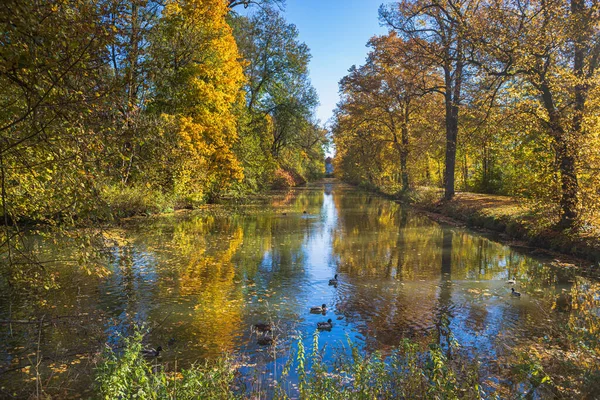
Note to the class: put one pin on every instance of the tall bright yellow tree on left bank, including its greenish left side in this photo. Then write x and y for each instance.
(197, 94)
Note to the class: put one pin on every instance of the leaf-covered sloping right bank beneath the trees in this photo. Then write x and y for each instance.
(515, 221)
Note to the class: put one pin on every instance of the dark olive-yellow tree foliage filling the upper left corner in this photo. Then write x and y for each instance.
(52, 93)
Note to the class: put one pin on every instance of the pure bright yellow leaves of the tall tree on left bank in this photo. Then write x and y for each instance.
(205, 126)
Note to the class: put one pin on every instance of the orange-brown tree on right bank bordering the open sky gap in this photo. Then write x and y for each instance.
(382, 98)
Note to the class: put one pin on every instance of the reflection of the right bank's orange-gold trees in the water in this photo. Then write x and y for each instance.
(378, 240)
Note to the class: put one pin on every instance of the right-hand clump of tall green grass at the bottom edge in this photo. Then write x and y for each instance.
(408, 372)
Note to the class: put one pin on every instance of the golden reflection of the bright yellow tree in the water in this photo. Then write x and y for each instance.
(194, 285)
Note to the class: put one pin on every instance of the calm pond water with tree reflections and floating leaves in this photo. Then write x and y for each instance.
(201, 280)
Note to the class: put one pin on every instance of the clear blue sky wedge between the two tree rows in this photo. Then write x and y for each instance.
(337, 32)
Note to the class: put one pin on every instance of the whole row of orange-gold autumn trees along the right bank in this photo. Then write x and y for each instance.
(518, 81)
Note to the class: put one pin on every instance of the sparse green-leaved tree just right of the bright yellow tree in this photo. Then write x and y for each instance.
(280, 100)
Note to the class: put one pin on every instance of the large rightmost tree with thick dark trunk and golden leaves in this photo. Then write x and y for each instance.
(552, 48)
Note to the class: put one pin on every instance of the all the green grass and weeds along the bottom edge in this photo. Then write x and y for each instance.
(409, 372)
